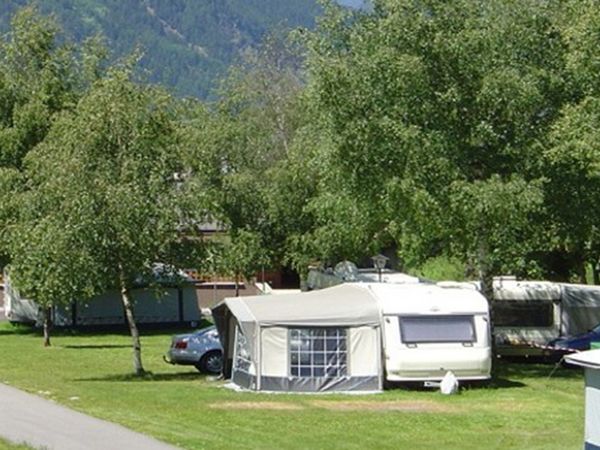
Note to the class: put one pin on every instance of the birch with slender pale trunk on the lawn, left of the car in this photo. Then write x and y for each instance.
(104, 183)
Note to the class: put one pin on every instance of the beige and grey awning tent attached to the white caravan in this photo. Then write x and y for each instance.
(326, 340)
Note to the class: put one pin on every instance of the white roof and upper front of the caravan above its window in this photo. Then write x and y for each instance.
(427, 299)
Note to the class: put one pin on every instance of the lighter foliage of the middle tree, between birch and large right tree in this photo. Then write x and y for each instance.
(243, 150)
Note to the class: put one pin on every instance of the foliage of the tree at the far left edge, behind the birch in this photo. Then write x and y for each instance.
(40, 78)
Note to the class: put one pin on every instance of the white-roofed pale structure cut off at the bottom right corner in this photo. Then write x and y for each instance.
(590, 360)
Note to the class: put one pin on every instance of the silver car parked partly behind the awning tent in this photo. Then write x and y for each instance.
(201, 349)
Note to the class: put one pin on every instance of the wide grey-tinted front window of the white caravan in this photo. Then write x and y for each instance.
(429, 329)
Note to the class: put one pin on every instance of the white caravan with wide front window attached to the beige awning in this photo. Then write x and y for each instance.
(430, 330)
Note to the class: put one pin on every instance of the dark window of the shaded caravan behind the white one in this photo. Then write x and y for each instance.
(519, 313)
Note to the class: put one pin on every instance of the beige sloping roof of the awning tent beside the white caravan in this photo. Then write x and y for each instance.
(342, 305)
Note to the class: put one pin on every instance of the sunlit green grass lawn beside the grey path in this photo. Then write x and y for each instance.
(524, 409)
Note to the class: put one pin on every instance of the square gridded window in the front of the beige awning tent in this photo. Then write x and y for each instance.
(318, 352)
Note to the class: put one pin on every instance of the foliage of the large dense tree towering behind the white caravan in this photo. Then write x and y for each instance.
(438, 113)
